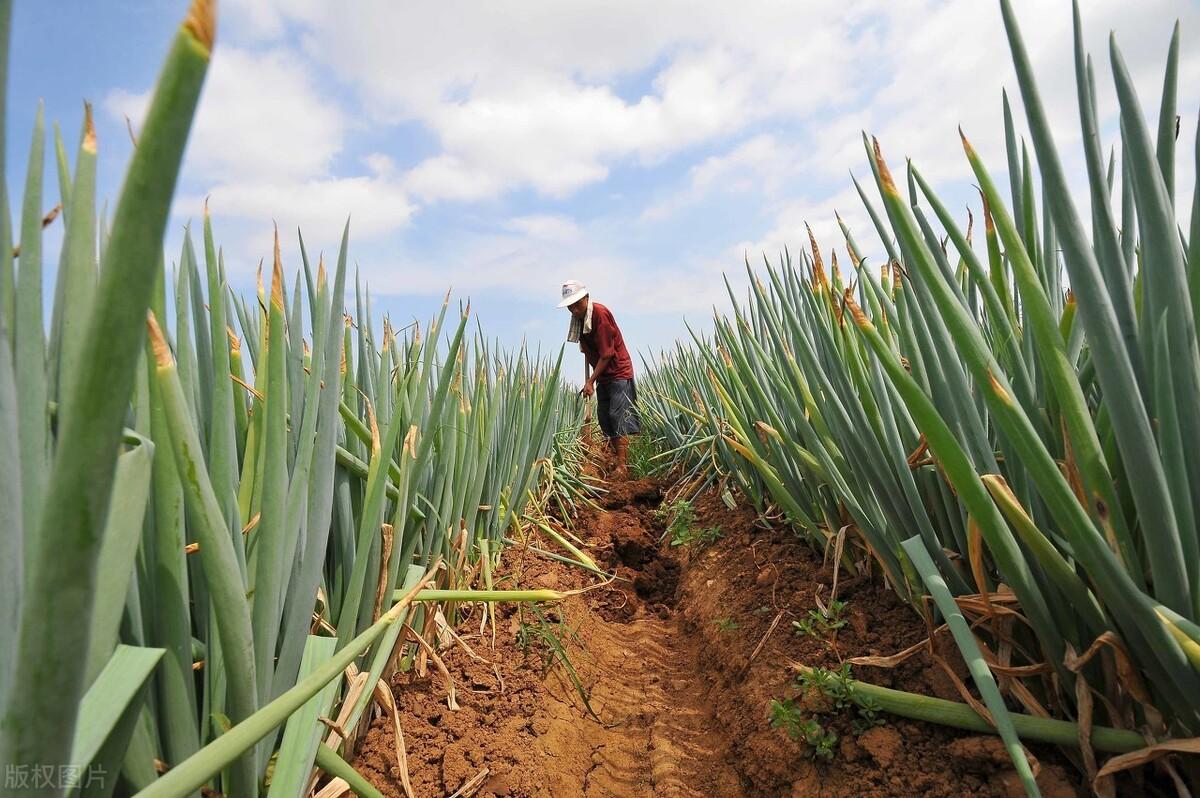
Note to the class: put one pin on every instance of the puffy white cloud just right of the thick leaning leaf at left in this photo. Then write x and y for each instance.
(262, 149)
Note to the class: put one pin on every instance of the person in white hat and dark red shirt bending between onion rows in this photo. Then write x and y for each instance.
(608, 369)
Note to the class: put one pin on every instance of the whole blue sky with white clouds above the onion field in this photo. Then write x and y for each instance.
(501, 148)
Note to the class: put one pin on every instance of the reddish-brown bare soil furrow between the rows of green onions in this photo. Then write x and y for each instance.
(667, 655)
